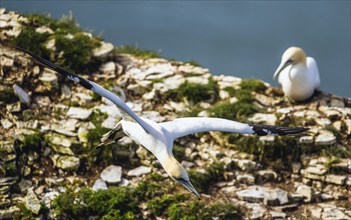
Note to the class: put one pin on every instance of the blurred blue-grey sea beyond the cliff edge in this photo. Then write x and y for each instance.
(239, 38)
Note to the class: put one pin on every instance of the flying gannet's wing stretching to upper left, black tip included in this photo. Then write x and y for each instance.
(95, 88)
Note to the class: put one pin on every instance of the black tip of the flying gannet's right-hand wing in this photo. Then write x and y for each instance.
(262, 130)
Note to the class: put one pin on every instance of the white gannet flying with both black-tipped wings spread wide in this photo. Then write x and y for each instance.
(158, 138)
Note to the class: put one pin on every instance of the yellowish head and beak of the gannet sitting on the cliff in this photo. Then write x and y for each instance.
(293, 55)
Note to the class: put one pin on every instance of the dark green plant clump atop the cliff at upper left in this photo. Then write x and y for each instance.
(73, 48)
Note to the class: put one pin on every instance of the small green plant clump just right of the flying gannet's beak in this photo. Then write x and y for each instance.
(203, 181)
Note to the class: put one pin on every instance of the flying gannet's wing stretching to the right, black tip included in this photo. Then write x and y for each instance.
(184, 126)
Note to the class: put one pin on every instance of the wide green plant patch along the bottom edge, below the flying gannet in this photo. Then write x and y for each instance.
(160, 199)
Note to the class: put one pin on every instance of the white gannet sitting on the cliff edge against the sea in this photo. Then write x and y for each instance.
(298, 74)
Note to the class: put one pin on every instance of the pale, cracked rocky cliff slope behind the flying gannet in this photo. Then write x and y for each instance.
(51, 128)
